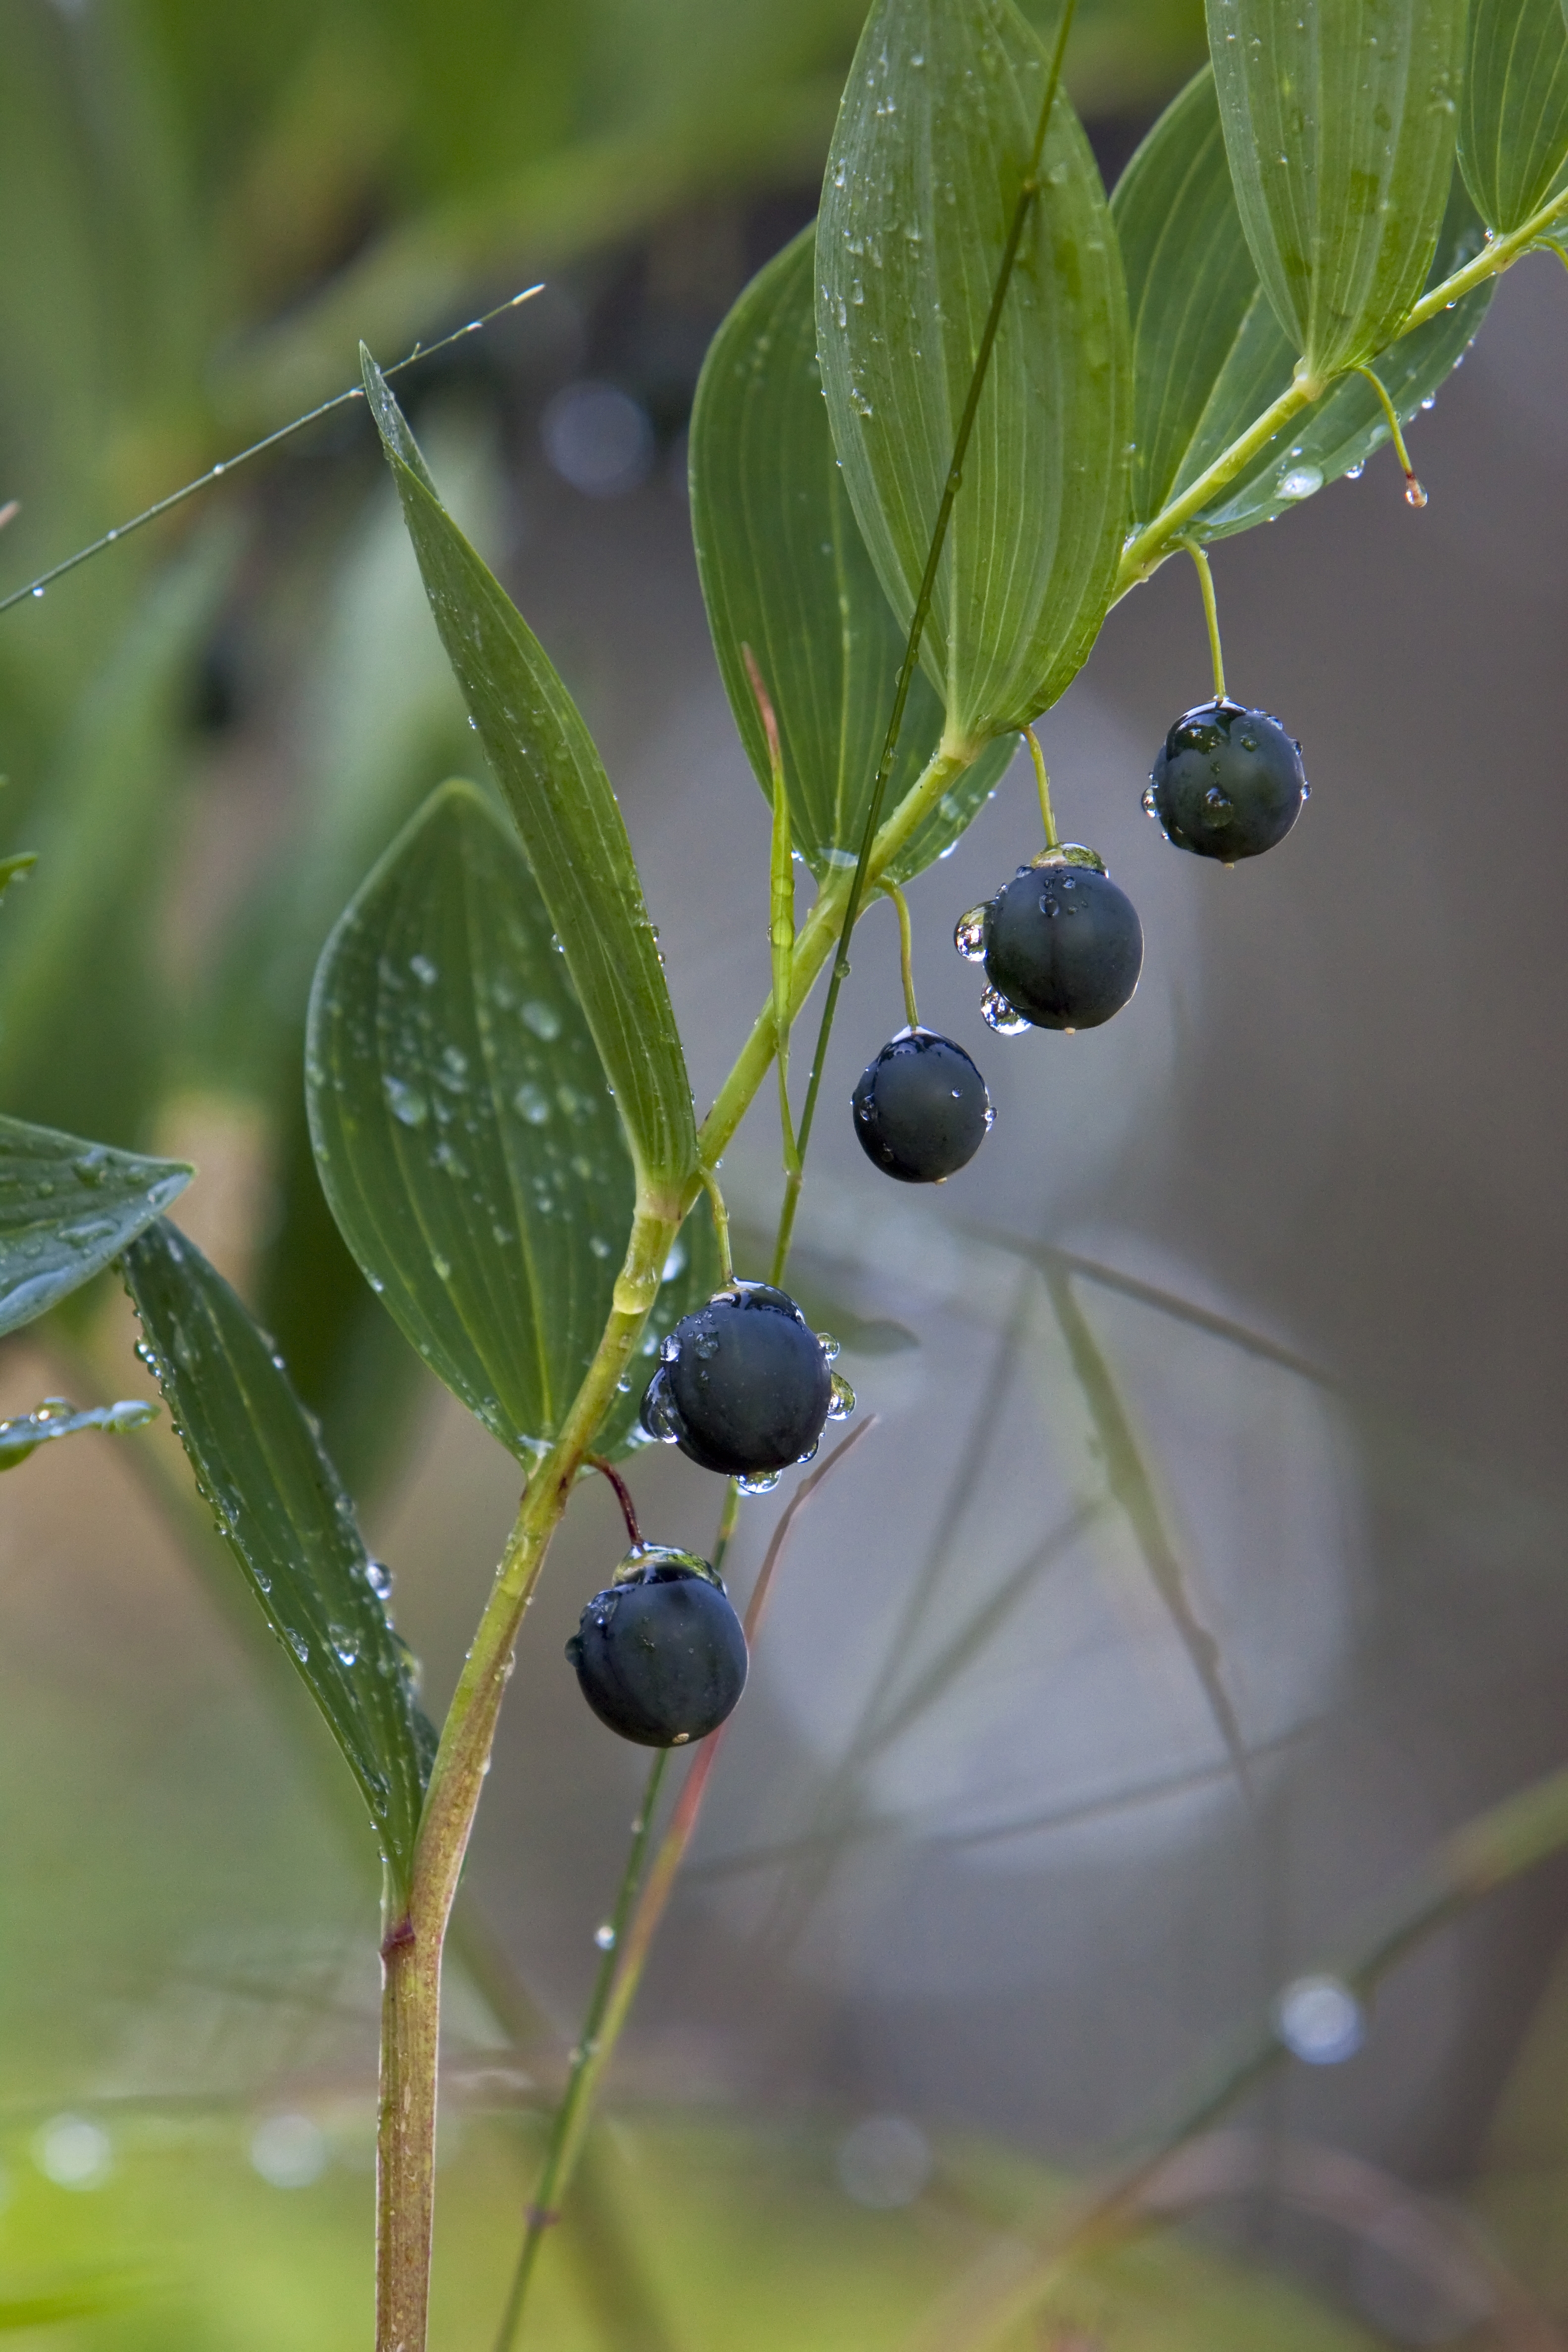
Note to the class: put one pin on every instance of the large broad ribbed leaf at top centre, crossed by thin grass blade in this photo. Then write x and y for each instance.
(934, 145)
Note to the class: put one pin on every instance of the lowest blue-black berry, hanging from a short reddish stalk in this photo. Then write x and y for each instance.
(659, 1655)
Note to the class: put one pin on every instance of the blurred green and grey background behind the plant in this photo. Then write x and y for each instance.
(974, 1890)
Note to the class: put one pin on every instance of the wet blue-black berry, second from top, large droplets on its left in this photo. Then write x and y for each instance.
(1064, 947)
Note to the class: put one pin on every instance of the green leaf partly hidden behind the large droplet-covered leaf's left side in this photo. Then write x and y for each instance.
(784, 570)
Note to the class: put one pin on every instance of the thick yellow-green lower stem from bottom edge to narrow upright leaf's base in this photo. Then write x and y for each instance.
(413, 1951)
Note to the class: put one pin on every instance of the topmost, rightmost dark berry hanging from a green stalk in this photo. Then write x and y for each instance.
(1228, 782)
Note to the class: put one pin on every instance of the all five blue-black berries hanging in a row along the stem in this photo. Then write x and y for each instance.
(744, 1384)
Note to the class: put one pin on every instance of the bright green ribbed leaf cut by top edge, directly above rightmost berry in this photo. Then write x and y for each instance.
(1341, 123)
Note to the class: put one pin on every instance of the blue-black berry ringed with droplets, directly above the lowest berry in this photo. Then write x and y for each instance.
(746, 1387)
